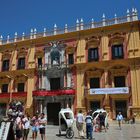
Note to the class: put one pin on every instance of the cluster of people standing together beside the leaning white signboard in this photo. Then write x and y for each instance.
(22, 122)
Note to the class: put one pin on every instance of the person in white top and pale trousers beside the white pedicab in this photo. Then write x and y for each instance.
(80, 123)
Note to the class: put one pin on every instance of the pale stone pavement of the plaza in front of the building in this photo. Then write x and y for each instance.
(128, 132)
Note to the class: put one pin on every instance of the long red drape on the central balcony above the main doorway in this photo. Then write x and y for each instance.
(54, 92)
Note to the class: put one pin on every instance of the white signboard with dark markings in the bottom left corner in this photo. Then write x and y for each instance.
(4, 129)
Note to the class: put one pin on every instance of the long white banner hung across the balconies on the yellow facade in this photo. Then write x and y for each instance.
(118, 90)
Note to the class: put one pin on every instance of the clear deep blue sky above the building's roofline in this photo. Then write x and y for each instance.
(22, 15)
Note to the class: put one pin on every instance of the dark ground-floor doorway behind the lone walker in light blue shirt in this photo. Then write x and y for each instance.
(121, 106)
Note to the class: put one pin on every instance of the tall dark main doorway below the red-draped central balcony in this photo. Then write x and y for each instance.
(52, 113)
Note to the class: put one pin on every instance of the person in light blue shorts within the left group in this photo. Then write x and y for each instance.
(35, 126)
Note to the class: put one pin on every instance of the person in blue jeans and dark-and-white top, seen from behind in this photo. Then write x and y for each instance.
(89, 126)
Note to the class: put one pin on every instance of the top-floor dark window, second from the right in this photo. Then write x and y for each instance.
(93, 54)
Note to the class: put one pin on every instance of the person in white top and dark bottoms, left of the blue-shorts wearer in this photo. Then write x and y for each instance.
(26, 124)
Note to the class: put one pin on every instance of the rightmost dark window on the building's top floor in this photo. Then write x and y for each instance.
(117, 51)
